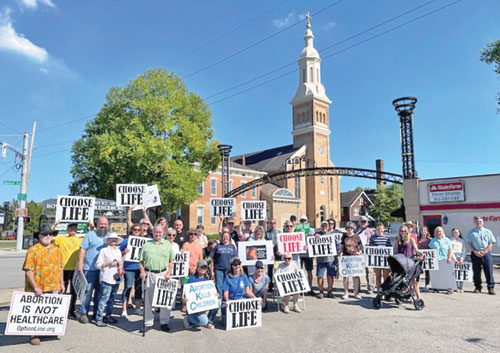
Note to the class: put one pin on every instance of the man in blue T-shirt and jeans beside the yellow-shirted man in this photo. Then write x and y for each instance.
(90, 246)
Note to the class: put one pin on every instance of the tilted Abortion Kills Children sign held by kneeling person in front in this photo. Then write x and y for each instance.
(201, 296)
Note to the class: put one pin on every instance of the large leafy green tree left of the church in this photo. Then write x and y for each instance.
(151, 131)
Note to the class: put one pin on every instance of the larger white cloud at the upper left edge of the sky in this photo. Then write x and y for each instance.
(15, 42)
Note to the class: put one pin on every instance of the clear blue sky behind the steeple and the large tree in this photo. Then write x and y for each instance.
(59, 58)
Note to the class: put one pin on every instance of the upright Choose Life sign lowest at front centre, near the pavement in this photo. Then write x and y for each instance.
(244, 313)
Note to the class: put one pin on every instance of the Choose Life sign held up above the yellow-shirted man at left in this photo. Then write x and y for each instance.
(75, 208)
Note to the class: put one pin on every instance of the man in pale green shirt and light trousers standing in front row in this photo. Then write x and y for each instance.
(155, 260)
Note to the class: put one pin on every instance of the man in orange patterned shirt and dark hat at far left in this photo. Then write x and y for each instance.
(44, 268)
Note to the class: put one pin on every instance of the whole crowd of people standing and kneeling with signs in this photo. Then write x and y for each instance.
(50, 264)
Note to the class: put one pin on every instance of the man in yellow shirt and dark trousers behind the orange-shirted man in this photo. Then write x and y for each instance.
(69, 246)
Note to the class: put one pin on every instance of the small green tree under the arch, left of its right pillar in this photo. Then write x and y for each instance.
(387, 200)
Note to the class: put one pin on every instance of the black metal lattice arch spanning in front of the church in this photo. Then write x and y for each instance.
(338, 171)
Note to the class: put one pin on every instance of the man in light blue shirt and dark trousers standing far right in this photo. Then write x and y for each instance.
(480, 240)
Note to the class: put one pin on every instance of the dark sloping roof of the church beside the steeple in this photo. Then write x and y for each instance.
(266, 160)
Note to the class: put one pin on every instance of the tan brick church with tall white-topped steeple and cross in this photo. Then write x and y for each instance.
(317, 197)
